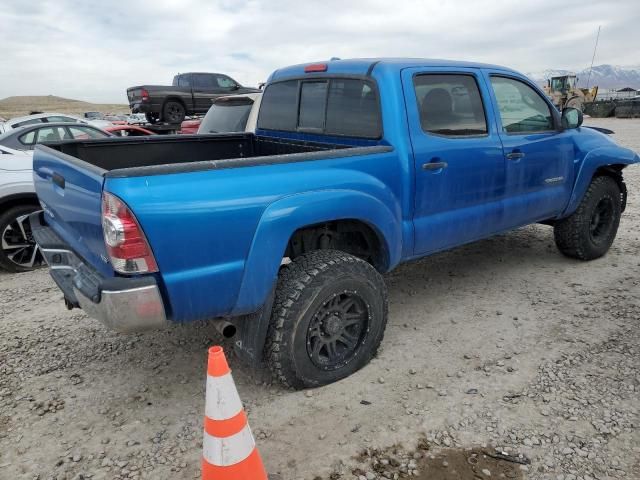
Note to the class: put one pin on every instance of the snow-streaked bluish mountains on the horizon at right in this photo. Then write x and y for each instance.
(604, 76)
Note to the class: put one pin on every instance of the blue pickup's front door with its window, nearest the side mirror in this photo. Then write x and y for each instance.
(539, 155)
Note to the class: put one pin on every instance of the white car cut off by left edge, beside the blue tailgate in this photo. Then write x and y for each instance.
(18, 251)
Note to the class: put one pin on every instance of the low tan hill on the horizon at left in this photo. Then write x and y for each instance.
(11, 107)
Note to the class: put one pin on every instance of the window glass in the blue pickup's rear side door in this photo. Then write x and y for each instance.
(450, 105)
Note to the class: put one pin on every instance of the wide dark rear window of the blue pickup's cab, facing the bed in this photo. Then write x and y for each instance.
(334, 106)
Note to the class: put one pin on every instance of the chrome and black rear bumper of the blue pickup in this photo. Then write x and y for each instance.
(122, 304)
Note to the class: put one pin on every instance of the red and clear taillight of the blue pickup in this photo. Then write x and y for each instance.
(126, 244)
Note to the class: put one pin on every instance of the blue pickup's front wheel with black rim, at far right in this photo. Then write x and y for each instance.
(588, 233)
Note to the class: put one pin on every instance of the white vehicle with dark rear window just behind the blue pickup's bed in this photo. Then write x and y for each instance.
(232, 113)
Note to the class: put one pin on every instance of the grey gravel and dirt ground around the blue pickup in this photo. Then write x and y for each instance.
(503, 343)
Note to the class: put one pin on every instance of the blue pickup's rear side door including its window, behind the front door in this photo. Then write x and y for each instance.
(458, 159)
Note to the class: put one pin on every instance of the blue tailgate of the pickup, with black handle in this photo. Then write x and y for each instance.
(70, 192)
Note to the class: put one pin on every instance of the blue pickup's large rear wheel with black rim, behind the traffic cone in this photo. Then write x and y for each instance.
(328, 319)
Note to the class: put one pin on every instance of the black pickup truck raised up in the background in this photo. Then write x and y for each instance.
(190, 94)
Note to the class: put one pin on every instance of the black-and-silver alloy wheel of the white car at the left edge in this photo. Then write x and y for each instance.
(18, 250)
